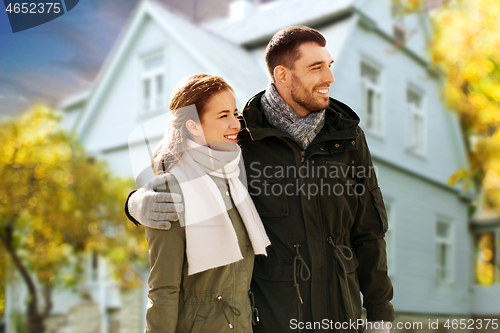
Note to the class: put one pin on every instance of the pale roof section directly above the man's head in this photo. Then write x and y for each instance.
(277, 15)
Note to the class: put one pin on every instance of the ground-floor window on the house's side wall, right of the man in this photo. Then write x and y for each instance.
(444, 250)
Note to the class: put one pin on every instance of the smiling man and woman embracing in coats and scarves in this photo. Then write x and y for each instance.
(240, 263)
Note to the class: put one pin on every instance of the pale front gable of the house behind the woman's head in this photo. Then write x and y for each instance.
(188, 50)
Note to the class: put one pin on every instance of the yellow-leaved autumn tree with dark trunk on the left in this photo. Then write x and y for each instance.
(56, 203)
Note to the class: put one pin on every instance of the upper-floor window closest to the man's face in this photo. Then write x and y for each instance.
(371, 96)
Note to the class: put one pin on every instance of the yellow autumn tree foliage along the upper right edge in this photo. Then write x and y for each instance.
(465, 48)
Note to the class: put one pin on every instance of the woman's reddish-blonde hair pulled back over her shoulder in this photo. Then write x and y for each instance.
(194, 90)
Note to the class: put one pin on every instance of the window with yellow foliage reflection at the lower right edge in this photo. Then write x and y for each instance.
(487, 261)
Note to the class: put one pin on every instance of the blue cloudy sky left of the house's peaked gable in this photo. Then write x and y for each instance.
(60, 58)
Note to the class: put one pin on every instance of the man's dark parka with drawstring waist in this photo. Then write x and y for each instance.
(324, 213)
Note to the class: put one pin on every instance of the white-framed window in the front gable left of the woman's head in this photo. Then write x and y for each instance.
(152, 82)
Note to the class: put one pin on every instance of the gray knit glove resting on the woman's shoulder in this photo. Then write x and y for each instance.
(155, 209)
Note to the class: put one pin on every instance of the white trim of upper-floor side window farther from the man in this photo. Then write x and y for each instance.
(412, 113)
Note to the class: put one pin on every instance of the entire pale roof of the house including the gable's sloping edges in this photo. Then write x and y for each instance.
(218, 53)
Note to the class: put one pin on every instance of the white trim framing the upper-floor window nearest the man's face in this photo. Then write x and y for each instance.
(378, 129)
